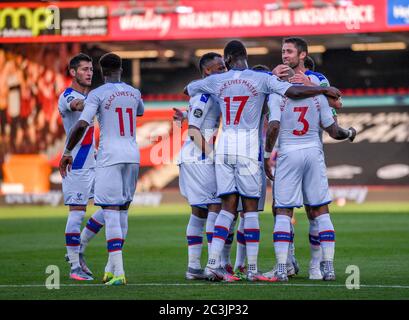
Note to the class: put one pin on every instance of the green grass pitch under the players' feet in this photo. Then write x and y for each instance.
(374, 237)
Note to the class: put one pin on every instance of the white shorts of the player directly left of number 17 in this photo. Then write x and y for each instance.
(197, 183)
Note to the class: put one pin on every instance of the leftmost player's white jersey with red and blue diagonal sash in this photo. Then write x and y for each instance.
(83, 152)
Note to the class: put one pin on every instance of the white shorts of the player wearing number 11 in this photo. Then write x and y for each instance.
(115, 185)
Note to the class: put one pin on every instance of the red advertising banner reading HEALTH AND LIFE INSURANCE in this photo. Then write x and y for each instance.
(260, 18)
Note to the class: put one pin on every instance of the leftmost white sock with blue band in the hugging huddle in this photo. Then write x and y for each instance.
(194, 235)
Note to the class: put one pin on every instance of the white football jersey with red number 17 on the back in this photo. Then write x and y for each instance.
(240, 94)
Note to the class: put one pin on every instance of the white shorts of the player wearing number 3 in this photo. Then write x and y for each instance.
(301, 178)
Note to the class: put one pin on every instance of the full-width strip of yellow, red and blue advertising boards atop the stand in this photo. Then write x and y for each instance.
(195, 19)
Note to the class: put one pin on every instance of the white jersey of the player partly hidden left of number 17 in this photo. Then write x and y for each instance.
(203, 113)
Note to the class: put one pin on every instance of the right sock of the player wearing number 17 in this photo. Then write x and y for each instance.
(252, 237)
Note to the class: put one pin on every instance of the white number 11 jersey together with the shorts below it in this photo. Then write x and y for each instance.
(116, 106)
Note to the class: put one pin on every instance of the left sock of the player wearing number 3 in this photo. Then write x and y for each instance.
(282, 237)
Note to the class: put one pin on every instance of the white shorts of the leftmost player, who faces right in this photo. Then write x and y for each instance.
(78, 187)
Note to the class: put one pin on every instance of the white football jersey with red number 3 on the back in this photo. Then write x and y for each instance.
(300, 121)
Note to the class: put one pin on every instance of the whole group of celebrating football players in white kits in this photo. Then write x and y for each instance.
(219, 183)
